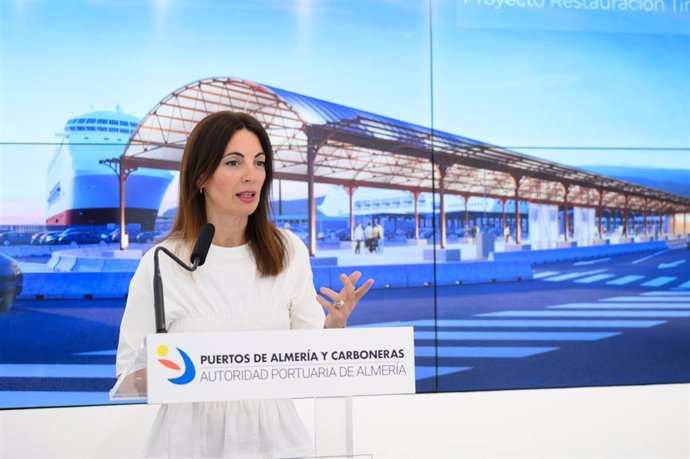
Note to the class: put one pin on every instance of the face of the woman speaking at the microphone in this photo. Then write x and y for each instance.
(234, 188)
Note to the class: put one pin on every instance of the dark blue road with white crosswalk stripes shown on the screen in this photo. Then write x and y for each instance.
(621, 320)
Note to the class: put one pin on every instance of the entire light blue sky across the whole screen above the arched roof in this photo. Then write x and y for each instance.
(516, 87)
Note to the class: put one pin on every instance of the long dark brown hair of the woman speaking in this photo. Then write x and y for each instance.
(202, 155)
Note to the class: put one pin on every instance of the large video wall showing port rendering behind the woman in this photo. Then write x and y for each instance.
(515, 175)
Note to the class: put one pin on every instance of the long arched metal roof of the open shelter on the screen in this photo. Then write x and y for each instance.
(319, 141)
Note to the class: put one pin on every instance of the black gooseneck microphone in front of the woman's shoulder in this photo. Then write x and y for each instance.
(201, 247)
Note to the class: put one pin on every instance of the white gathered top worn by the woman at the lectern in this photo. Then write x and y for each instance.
(224, 294)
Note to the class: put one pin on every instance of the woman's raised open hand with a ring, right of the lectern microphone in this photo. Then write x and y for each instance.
(342, 303)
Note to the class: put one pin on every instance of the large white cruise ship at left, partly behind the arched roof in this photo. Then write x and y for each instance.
(81, 191)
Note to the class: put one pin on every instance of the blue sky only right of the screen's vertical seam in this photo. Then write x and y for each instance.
(581, 85)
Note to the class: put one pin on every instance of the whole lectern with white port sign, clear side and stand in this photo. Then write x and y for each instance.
(324, 369)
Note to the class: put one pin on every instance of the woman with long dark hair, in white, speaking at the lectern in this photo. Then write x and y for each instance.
(256, 277)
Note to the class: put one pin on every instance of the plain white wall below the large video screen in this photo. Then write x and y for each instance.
(651, 422)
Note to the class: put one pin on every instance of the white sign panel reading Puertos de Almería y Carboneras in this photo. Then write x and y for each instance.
(196, 367)
